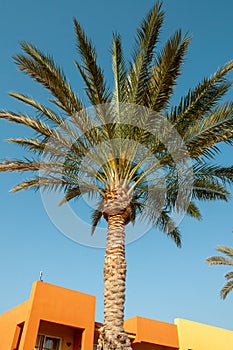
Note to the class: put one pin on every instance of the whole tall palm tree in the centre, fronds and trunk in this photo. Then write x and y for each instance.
(132, 150)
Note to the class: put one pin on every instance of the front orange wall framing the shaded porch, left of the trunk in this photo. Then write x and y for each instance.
(62, 306)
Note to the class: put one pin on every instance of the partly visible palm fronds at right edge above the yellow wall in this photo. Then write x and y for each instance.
(221, 260)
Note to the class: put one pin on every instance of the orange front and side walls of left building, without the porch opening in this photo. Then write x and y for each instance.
(53, 304)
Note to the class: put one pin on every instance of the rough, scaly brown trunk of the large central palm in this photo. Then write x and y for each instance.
(112, 334)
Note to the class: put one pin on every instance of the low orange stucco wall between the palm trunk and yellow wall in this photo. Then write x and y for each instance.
(163, 334)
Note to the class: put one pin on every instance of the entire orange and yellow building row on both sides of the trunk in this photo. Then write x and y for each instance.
(56, 318)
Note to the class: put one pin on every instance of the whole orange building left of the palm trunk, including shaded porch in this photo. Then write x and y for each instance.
(49, 320)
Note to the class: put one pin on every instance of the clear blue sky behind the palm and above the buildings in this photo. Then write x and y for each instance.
(163, 282)
